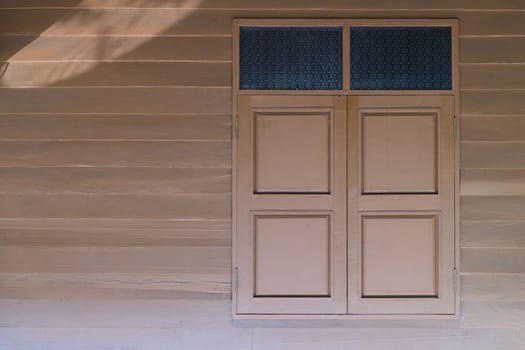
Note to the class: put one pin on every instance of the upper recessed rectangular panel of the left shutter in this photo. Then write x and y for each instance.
(292, 152)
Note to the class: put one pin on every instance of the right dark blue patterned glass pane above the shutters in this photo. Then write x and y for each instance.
(400, 58)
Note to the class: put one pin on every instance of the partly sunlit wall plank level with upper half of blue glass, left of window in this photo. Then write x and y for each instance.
(20, 48)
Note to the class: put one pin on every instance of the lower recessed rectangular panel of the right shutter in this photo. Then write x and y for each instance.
(399, 256)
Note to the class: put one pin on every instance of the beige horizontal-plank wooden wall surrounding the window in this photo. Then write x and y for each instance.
(115, 171)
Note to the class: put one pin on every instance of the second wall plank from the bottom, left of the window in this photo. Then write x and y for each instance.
(115, 313)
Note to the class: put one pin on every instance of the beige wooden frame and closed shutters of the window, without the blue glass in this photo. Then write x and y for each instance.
(345, 201)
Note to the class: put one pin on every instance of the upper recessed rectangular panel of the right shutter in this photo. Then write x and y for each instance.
(399, 152)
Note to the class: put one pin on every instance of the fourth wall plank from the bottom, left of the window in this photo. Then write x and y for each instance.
(78, 260)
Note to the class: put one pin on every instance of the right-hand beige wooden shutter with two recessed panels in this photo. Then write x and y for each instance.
(401, 205)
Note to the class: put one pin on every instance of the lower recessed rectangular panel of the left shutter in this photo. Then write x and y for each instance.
(292, 255)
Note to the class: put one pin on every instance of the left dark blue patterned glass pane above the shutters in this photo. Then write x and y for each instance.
(291, 58)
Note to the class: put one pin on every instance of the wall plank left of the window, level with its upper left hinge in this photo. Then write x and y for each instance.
(177, 127)
